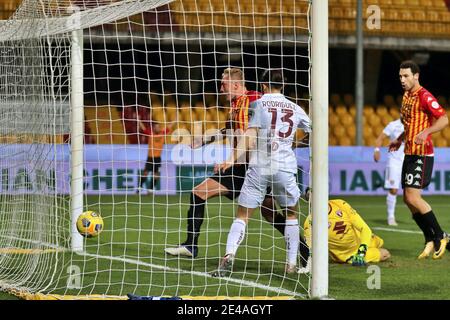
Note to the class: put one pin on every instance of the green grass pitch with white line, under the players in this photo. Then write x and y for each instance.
(128, 256)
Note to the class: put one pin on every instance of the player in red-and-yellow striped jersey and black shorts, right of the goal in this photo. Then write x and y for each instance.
(421, 116)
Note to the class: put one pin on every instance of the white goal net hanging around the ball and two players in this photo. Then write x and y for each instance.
(149, 78)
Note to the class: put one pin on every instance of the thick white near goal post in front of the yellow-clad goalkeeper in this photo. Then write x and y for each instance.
(319, 146)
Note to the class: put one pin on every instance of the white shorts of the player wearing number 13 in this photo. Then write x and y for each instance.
(283, 184)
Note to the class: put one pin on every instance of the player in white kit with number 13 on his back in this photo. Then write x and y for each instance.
(271, 131)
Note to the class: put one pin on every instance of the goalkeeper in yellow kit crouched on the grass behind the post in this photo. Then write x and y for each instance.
(350, 239)
